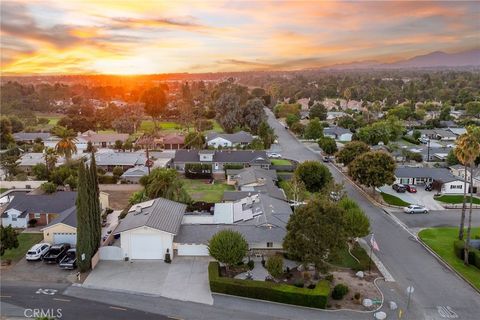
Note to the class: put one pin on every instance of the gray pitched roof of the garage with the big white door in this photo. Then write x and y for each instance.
(162, 214)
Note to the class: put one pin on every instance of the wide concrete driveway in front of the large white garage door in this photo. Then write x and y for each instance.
(185, 279)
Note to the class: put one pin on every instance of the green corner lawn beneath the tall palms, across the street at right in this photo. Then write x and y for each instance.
(441, 240)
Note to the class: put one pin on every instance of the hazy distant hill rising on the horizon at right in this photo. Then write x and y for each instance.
(433, 59)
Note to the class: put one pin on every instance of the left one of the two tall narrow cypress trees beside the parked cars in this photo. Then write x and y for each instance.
(84, 231)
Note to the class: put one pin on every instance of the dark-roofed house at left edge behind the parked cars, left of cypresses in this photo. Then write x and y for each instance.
(42, 207)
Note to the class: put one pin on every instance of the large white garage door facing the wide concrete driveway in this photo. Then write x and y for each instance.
(146, 246)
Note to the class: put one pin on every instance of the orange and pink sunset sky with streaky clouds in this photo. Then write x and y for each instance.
(146, 36)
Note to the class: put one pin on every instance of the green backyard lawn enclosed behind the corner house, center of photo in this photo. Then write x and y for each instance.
(201, 190)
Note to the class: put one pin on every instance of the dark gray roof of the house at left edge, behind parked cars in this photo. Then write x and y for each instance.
(43, 203)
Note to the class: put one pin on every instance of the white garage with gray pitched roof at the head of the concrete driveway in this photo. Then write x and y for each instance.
(147, 232)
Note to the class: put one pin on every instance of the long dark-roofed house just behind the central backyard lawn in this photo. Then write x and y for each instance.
(219, 158)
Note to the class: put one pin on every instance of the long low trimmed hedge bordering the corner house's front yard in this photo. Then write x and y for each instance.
(263, 290)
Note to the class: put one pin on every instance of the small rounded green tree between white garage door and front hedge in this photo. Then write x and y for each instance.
(228, 247)
